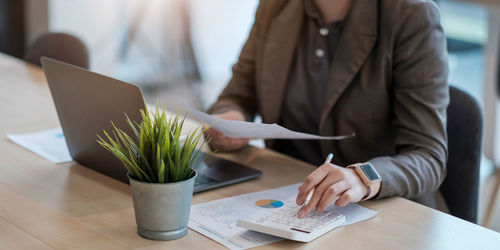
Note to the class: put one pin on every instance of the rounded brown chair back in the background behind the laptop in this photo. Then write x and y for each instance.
(60, 46)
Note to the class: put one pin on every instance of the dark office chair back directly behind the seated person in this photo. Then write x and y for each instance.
(460, 188)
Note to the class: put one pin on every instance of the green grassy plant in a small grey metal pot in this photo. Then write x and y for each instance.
(160, 170)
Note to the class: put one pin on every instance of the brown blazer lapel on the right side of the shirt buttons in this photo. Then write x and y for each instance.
(356, 42)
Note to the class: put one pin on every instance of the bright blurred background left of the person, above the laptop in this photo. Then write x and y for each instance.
(167, 47)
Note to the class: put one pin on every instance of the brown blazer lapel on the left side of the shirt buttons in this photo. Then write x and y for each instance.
(278, 52)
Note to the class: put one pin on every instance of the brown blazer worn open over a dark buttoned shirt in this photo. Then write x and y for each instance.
(388, 83)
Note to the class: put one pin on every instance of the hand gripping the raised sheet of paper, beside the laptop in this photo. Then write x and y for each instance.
(222, 143)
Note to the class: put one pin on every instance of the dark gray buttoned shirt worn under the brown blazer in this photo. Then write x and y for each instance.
(306, 84)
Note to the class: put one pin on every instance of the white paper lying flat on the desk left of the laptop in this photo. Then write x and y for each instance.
(49, 144)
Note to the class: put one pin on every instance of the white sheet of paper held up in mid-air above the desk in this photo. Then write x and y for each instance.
(240, 129)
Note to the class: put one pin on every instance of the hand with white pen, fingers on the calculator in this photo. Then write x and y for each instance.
(330, 181)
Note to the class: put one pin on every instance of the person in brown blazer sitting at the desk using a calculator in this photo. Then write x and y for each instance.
(330, 67)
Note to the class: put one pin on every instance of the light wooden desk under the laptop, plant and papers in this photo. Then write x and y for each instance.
(43, 205)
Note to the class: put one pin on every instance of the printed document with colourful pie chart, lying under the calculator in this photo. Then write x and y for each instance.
(217, 219)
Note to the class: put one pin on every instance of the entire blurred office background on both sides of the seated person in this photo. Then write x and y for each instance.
(185, 48)
